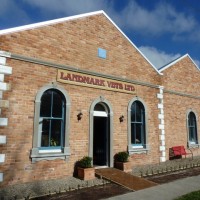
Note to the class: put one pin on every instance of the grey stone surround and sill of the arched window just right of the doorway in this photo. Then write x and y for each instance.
(144, 147)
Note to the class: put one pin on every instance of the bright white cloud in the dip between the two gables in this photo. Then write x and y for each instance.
(157, 57)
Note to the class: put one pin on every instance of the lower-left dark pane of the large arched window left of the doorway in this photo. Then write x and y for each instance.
(45, 133)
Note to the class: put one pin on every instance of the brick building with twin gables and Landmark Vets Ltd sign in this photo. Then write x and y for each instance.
(78, 86)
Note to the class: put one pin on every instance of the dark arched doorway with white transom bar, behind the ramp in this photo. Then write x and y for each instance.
(101, 139)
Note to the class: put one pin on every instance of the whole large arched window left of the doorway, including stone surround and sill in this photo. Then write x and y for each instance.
(51, 124)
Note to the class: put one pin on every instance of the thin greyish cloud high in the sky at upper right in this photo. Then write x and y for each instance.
(162, 19)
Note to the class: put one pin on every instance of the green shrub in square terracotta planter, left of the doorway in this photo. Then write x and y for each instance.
(85, 169)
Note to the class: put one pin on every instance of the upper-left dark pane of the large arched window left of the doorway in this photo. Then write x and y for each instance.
(45, 109)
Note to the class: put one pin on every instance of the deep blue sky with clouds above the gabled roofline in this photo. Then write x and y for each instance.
(163, 30)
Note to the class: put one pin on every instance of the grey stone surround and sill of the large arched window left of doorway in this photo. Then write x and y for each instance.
(51, 153)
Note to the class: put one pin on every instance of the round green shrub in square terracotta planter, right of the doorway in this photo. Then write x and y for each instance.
(122, 161)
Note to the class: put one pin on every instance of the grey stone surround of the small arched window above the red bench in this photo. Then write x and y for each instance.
(190, 144)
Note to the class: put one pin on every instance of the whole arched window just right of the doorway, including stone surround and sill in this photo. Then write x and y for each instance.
(137, 137)
